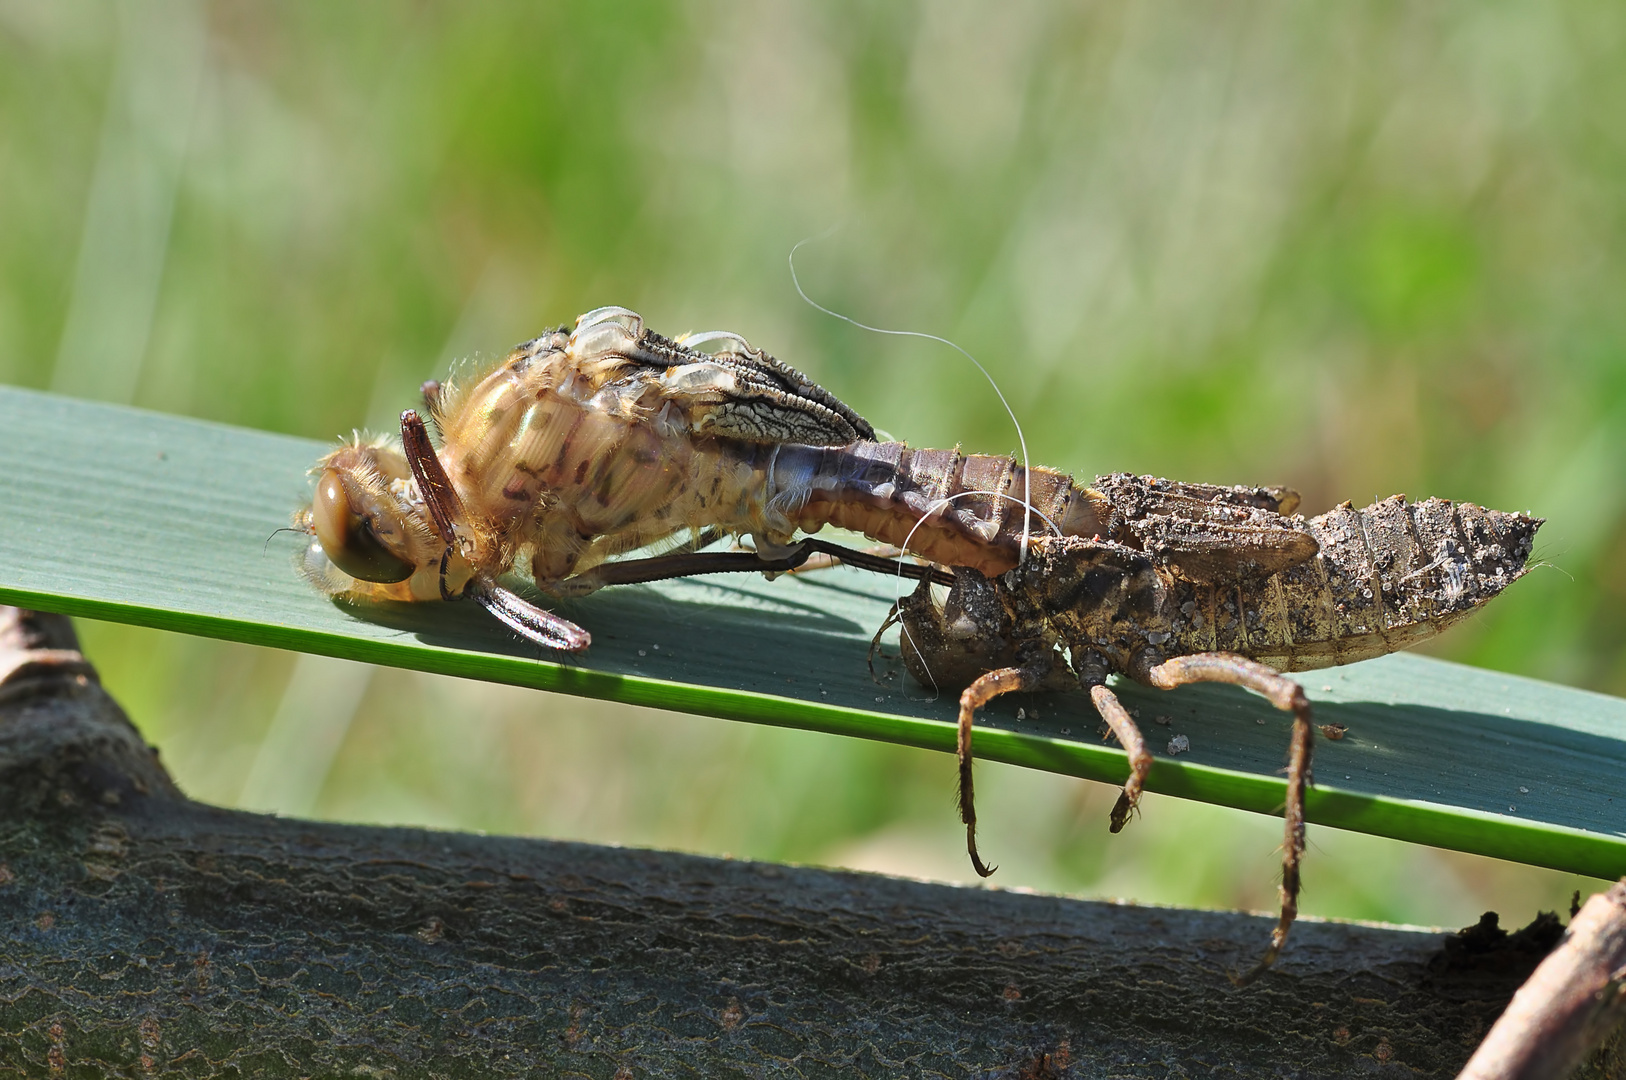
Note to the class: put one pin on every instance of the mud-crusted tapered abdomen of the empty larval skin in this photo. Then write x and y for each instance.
(1386, 578)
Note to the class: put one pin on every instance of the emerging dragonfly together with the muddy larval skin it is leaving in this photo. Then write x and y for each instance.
(594, 442)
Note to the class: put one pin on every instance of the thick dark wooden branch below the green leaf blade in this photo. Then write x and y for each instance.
(146, 934)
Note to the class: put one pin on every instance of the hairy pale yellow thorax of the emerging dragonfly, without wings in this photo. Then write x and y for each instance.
(563, 463)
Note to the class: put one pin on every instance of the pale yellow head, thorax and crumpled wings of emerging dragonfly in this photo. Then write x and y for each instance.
(578, 448)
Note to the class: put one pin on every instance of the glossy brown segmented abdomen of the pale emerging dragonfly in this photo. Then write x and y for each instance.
(942, 505)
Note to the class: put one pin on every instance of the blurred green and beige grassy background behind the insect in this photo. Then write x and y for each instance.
(1355, 250)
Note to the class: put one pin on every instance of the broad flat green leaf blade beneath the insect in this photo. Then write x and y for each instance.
(131, 516)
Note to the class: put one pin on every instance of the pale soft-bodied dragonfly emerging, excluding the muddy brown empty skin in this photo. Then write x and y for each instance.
(586, 445)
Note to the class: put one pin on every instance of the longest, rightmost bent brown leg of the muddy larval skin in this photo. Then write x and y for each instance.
(1287, 695)
